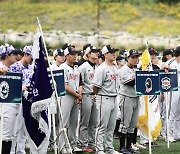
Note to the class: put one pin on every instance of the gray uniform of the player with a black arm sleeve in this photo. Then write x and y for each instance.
(129, 101)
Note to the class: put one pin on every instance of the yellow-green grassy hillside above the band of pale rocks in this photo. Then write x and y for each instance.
(142, 19)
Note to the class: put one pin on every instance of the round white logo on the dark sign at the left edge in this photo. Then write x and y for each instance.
(4, 90)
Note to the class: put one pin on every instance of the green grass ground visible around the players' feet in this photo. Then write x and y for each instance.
(162, 149)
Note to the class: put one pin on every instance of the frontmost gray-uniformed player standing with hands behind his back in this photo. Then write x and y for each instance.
(105, 85)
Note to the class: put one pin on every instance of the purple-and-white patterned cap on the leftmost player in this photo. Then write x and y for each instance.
(6, 49)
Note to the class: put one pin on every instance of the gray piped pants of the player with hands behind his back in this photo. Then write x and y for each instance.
(107, 112)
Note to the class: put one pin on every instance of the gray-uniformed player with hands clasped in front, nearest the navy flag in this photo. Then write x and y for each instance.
(70, 102)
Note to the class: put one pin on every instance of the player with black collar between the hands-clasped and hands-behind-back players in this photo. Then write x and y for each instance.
(88, 113)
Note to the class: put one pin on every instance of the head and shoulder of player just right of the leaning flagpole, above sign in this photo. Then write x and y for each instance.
(59, 58)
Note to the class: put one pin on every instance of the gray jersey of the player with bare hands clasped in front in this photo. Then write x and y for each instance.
(71, 75)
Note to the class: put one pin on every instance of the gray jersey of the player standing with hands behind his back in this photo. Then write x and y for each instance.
(106, 78)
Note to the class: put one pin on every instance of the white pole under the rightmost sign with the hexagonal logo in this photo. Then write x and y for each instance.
(167, 121)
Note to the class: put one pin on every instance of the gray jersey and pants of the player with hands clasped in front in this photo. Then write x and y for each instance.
(68, 107)
